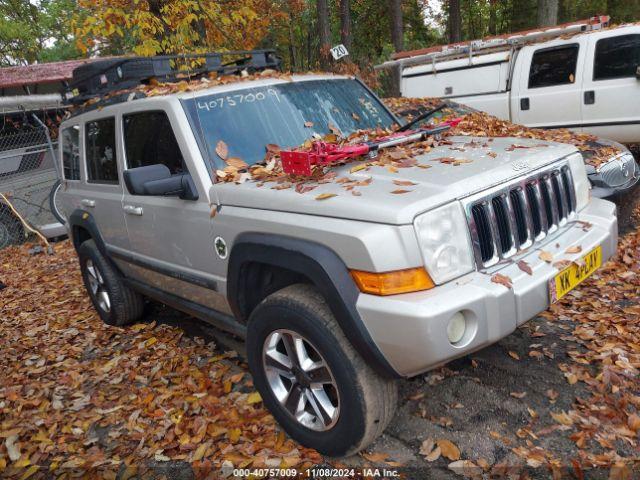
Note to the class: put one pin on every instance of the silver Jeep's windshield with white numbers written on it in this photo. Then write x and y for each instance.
(285, 114)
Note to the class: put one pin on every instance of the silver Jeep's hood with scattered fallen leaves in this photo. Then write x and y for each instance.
(488, 162)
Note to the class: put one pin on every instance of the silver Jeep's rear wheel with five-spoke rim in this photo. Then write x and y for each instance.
(115, 302)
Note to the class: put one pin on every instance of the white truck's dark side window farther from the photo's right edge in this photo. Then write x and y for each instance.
(553, 66)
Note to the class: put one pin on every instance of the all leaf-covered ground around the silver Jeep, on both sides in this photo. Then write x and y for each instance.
(560, 395)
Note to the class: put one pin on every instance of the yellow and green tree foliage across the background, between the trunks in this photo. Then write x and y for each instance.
(49, 30)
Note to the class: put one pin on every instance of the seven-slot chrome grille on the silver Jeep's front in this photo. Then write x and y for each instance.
(513, 217)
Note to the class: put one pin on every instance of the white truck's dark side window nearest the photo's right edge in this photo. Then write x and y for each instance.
(617, 57)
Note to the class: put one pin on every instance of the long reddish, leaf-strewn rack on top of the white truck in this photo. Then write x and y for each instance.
(493, 44)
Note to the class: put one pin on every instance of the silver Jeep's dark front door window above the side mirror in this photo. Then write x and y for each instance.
(149, 140)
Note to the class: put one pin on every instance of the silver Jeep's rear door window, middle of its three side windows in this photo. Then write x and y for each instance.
(100, 148)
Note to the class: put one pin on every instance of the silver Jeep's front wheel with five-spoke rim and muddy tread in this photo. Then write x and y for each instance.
(312, 380)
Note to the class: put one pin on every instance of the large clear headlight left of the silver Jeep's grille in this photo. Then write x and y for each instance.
(444, 240)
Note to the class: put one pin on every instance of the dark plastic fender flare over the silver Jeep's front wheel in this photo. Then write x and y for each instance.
(326, 271)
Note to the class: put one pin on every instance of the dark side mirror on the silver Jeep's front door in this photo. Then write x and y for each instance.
(157, 180)
